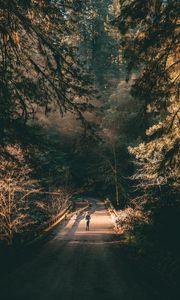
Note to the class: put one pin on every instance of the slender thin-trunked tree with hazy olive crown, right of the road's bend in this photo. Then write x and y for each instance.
(120, 113)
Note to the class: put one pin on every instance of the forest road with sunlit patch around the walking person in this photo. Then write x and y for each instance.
(74, 264)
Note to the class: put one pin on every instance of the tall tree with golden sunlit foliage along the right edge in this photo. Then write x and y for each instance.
(150, 43)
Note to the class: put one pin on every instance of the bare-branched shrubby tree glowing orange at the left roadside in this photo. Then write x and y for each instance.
(15, 188)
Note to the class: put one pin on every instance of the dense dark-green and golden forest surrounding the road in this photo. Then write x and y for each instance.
(89, 105)
